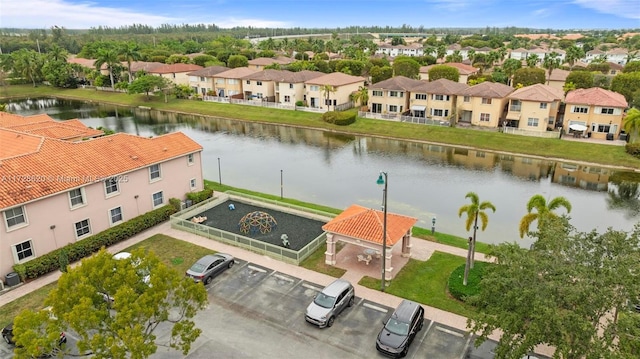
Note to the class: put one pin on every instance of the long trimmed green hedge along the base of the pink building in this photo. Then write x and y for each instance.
(75, 251)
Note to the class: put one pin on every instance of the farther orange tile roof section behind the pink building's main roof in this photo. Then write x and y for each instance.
(48, 127)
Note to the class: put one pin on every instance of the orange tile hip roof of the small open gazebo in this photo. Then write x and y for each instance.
(368, 225)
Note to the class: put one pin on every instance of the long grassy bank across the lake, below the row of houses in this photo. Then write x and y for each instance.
(590, 153)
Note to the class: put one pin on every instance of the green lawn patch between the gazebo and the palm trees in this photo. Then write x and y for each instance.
(426, 282)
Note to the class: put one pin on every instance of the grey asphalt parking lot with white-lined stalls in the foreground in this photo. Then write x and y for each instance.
(255, 312)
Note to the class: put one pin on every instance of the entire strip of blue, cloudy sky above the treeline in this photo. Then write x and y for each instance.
(556, 14)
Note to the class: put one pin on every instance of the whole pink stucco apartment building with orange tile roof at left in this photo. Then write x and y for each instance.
(60, 184)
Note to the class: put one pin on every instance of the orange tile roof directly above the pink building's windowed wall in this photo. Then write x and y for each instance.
(53, 162)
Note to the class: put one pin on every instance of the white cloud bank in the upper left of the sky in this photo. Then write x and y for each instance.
(40, 14)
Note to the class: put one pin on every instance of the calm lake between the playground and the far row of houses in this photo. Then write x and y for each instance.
(335, 170)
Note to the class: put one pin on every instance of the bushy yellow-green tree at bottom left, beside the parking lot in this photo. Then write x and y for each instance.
(115, 311)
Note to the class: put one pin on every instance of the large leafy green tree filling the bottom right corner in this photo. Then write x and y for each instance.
(564, 294)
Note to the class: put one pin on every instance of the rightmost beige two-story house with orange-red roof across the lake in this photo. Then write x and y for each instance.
(600, 110)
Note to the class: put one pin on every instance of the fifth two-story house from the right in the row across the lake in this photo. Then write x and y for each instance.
(391, 96)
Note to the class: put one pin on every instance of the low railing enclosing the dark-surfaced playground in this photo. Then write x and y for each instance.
(181, 221)
